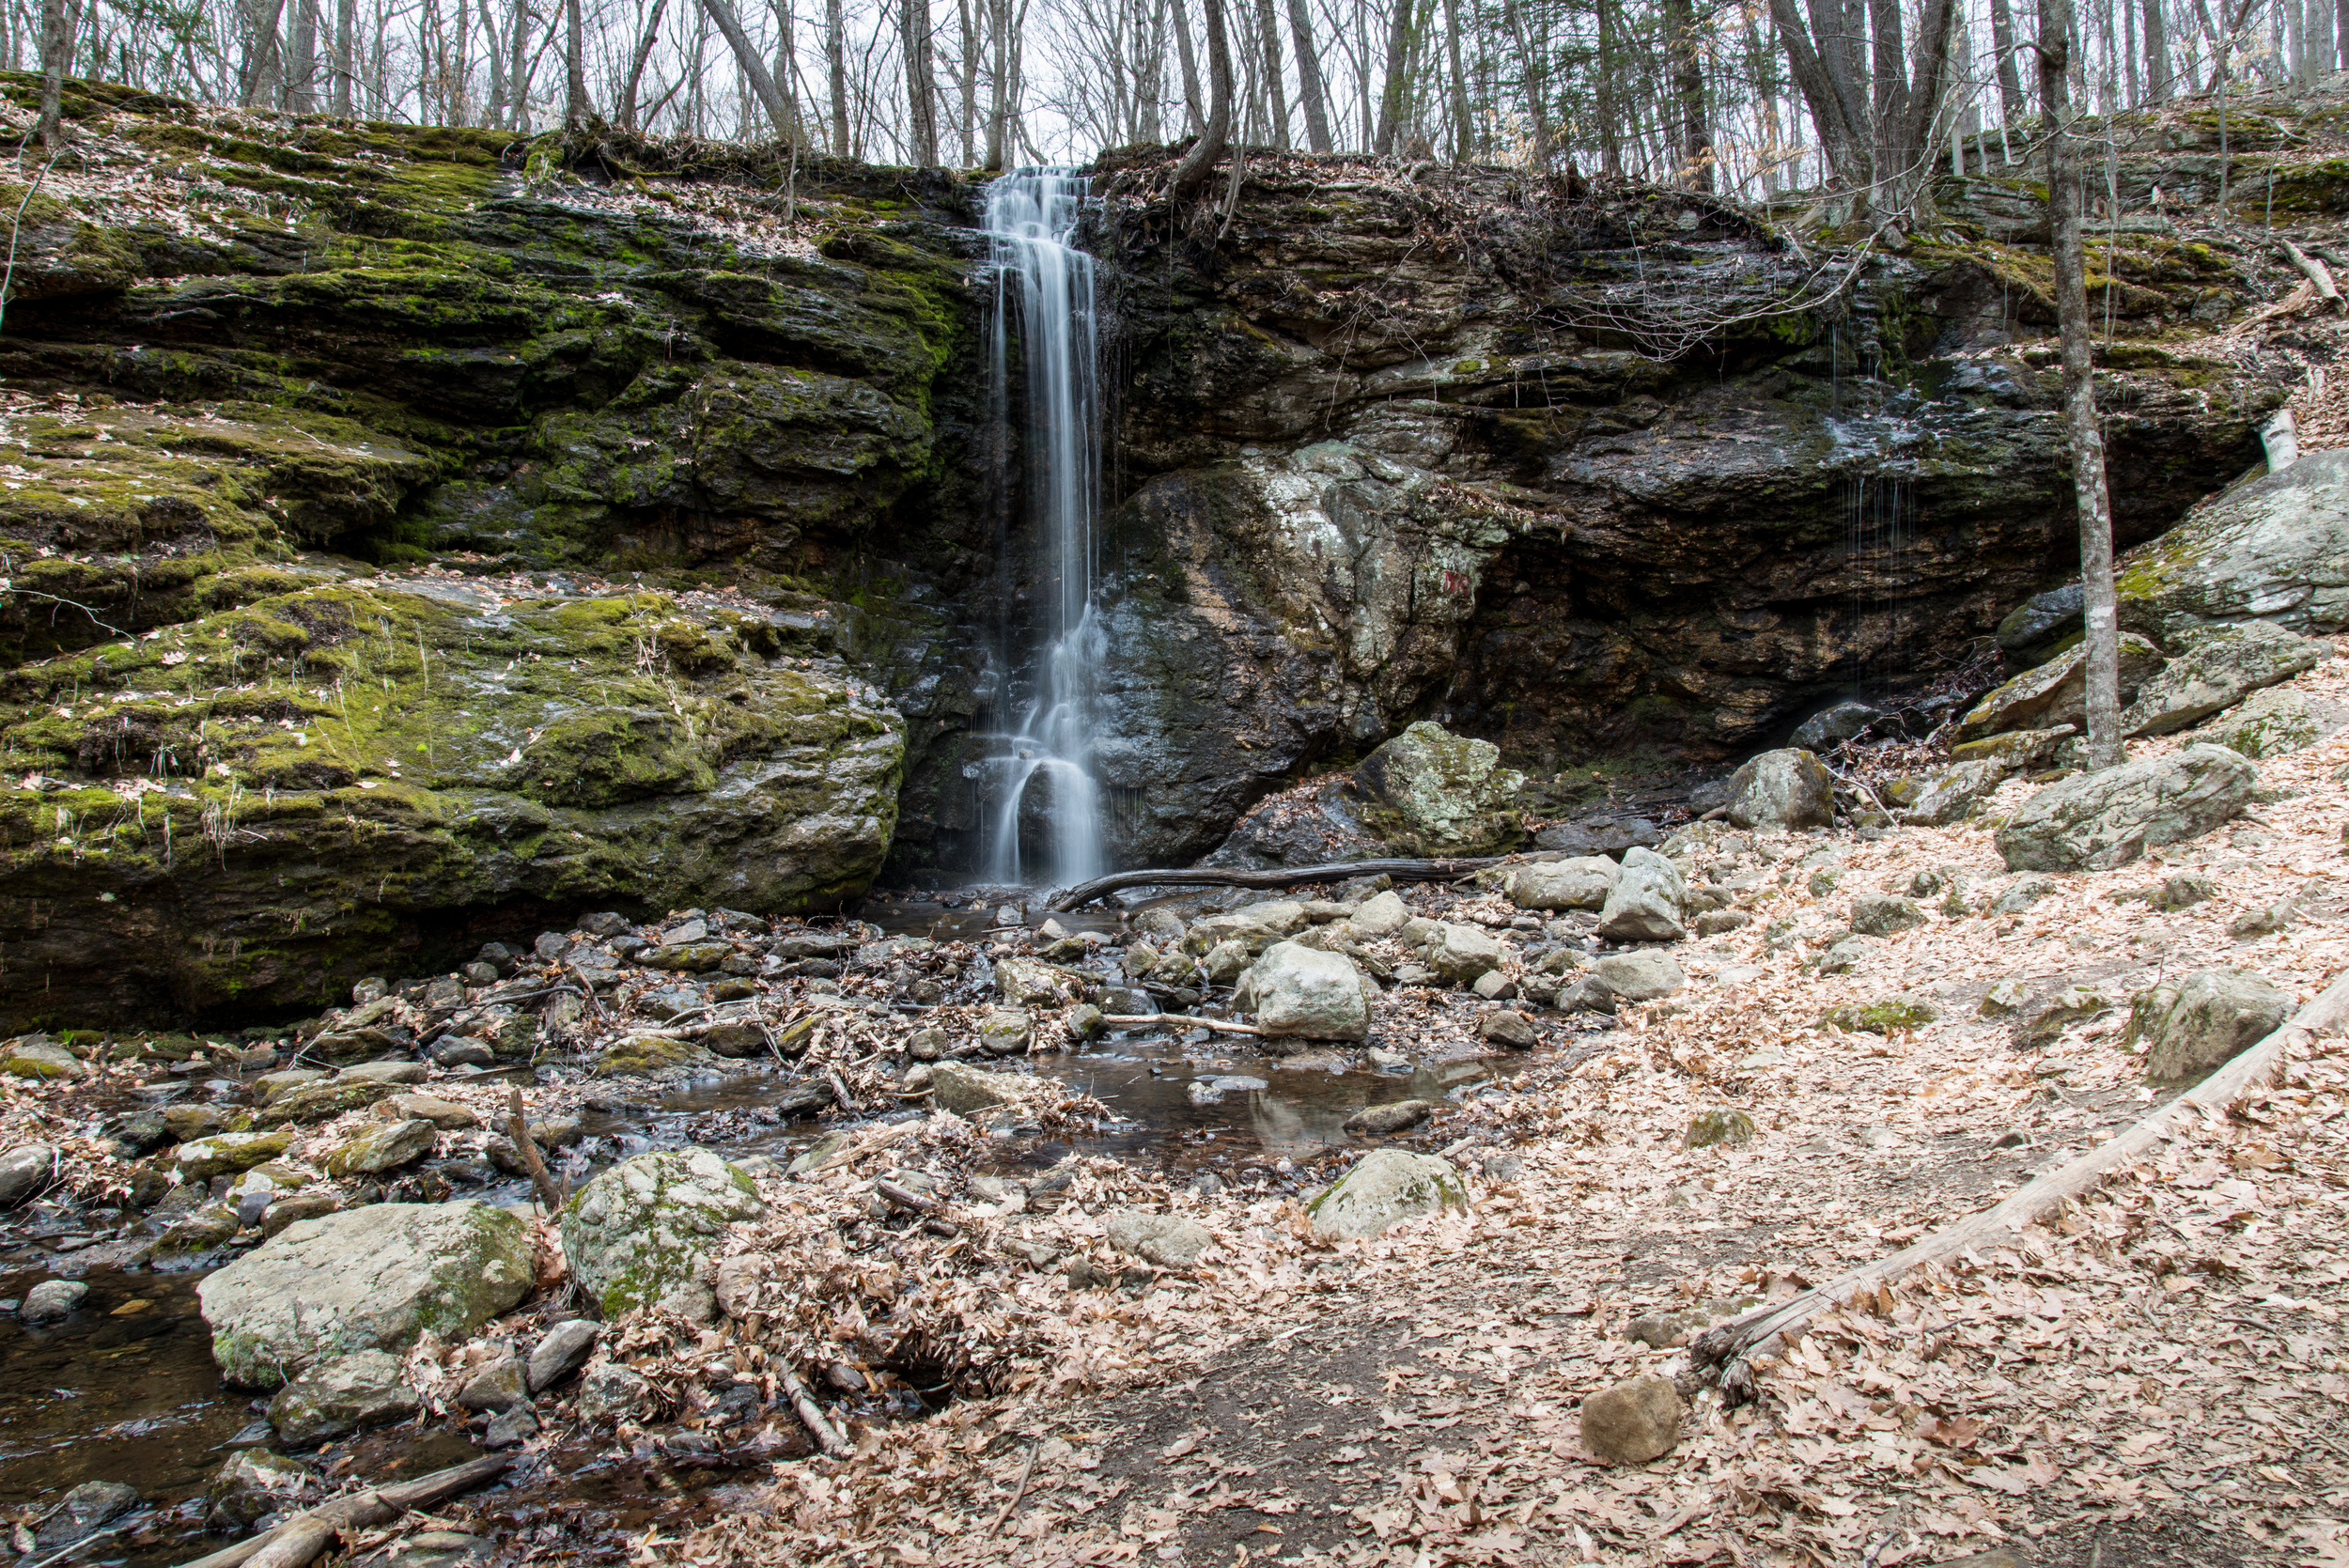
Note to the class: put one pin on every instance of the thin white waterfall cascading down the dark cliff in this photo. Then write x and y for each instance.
(1046, 302)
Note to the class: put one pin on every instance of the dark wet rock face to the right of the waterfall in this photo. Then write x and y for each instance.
(1382, 473)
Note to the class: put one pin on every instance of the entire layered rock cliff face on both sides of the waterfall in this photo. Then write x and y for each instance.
(408, 525)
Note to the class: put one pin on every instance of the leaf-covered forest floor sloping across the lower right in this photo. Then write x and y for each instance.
(2155, 1379)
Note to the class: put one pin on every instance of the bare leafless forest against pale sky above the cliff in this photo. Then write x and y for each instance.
(1744, 97)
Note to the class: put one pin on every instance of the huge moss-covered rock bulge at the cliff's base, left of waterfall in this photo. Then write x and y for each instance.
(647, 748)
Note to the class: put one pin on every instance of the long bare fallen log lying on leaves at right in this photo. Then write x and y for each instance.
(1737, 1344)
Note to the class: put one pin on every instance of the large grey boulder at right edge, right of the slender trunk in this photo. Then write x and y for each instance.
(2275, 548)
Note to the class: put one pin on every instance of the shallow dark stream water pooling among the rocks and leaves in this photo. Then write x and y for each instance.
(126, 1391)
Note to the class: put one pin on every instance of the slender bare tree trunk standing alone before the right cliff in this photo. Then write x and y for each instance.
(2057, 41)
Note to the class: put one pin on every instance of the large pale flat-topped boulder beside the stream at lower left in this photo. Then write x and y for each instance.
(363, 1280)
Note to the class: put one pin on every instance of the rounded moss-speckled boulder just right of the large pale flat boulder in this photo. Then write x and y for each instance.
(642, 1234)
